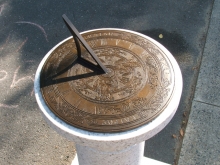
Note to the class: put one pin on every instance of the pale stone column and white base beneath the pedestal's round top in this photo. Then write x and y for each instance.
(132, 155)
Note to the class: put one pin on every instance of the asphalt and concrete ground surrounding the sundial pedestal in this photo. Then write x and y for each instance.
(190, 29)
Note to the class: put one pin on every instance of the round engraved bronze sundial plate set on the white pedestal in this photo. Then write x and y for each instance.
(136, 88)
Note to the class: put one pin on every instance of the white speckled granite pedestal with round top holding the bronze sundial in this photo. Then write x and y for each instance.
(123, 148)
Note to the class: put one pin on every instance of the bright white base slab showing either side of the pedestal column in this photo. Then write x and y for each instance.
(145, 161)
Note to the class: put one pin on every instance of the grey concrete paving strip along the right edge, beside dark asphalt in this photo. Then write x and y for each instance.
(201, 143)
